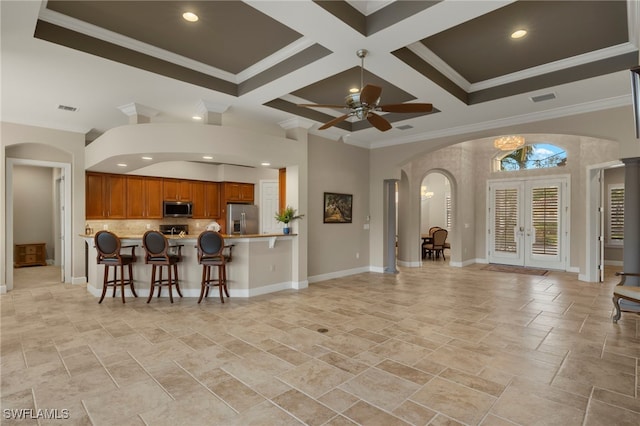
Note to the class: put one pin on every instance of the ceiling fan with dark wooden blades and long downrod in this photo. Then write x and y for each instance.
(364, 104)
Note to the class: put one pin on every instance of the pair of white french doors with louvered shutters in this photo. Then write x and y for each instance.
(528, 222)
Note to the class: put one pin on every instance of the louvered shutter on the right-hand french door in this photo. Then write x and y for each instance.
(545, 219)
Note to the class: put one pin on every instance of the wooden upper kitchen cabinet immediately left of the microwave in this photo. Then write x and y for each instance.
(144, 197)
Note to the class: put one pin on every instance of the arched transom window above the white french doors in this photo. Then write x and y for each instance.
(533, 156)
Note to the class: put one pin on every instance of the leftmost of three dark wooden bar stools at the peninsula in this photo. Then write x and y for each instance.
(108, 246)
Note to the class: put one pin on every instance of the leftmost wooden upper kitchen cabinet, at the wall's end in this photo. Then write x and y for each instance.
(106, 196)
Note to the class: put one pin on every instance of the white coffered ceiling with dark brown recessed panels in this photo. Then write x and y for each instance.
(256, 60)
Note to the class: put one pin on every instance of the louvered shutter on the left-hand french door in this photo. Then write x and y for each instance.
(506, 219)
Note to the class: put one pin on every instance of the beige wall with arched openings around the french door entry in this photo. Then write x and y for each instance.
(417, 158)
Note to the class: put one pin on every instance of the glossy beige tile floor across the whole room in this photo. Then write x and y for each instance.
(433, 345)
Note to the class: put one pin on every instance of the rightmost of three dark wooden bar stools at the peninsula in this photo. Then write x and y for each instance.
(211, 253)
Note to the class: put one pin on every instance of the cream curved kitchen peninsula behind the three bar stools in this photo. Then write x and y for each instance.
(262, 263)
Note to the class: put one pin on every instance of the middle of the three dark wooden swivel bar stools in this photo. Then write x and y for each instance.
(159, 254)
